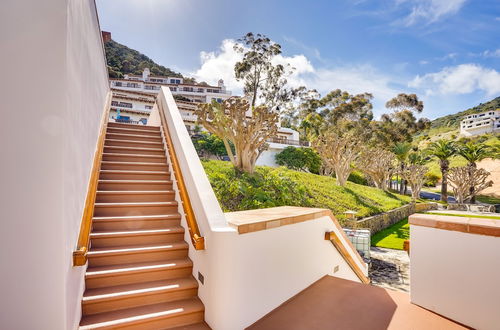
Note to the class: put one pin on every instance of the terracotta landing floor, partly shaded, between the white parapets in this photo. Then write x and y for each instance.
(334, 303)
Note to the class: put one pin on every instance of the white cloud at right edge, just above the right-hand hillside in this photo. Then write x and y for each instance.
(460, 79)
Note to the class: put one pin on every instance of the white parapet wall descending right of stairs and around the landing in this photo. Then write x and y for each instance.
(245, 276)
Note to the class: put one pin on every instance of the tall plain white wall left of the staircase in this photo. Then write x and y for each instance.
(48, 138)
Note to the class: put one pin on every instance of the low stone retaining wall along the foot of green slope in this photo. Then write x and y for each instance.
(379, 222)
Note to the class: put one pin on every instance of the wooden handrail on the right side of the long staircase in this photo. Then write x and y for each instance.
(194, 232)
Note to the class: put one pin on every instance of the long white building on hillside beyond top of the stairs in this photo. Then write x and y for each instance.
(147, 83)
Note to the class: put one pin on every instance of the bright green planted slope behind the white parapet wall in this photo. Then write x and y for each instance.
(281, 186)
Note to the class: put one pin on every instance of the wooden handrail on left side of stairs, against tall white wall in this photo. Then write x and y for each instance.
(80, 254)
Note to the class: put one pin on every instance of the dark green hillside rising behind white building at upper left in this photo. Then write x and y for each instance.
(124, 60)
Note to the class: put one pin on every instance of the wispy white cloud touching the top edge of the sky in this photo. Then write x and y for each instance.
(429, 11)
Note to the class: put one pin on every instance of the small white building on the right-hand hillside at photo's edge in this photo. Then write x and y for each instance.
(481, 123)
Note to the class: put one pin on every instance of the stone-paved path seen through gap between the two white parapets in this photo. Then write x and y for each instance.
(390, 269)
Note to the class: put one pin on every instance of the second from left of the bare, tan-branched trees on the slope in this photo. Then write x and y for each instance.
(338, 152)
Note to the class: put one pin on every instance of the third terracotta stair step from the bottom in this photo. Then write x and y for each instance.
(113, 275)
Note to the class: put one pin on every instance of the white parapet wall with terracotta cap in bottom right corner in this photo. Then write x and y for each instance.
(455, 267)
